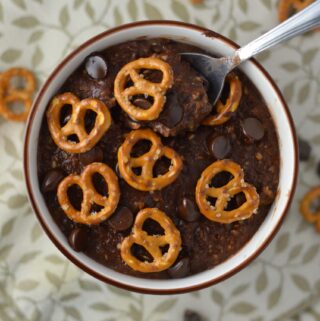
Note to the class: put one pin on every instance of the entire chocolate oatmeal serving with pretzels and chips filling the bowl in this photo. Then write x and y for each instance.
(142, 174)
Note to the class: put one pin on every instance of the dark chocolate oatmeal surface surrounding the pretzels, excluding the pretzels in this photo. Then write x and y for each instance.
(249, 138)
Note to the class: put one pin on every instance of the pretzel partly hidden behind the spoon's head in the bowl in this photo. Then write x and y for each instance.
(224, 111)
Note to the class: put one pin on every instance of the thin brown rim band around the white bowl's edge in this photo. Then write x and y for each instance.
(75, 260)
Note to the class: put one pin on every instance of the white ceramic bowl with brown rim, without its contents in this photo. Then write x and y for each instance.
(217, 45)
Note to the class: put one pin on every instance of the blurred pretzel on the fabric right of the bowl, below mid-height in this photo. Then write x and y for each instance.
(306, 207)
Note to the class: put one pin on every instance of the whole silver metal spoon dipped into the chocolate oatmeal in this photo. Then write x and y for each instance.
(215, 70)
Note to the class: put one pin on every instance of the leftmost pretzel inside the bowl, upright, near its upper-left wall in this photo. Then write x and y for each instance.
(76, 124)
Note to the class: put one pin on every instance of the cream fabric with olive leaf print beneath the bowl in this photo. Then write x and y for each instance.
(38, 283)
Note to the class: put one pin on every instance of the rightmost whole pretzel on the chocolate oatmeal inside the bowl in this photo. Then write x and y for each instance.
(223, 194)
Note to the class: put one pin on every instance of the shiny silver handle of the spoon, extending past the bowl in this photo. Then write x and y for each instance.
(303, 21)
